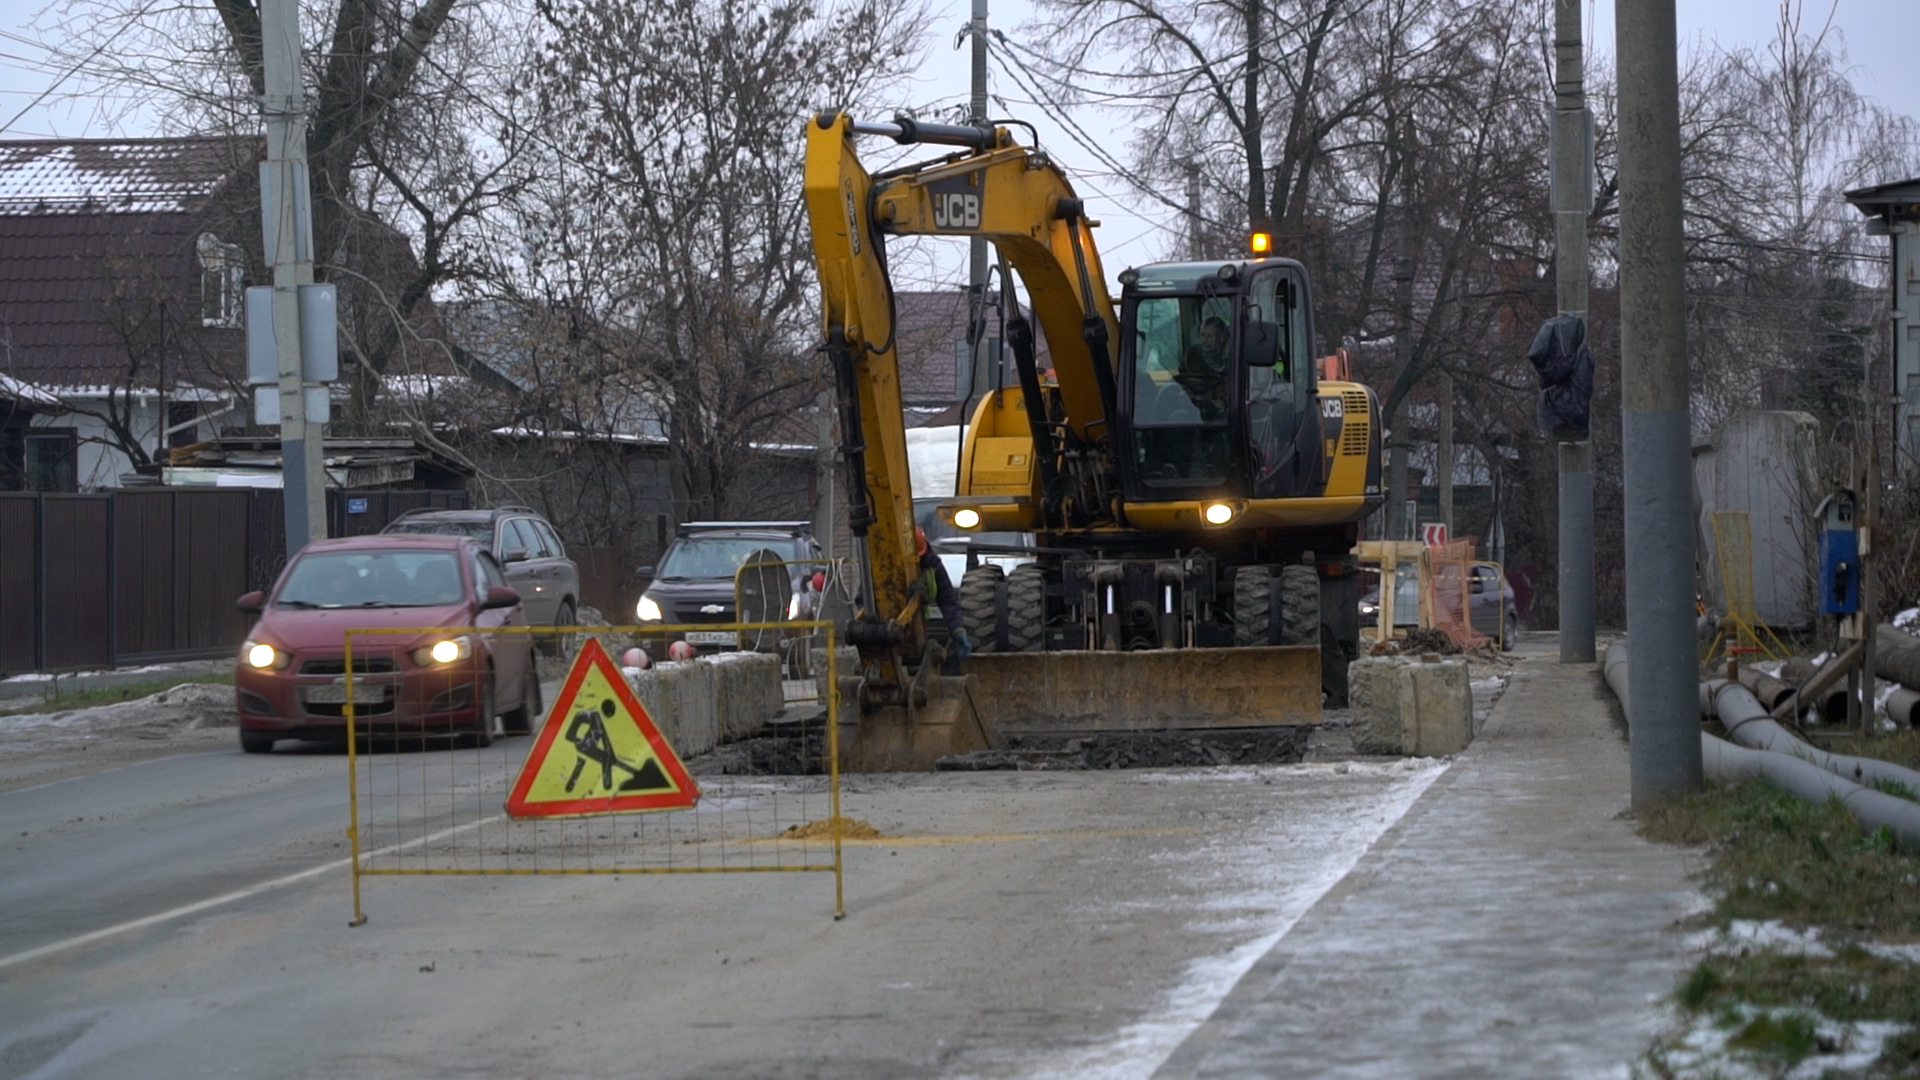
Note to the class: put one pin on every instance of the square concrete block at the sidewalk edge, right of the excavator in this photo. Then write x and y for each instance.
(1410, 706)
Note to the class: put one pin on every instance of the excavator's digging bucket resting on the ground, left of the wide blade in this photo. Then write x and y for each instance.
(894, 739)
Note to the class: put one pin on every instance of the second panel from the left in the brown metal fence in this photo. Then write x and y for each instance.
(78, 554)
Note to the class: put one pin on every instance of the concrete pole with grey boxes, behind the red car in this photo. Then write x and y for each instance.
(289, 228)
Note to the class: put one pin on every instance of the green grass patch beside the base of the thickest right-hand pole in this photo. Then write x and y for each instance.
(1775, 856)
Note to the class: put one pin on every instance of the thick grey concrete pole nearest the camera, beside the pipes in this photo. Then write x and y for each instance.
(1654, 410)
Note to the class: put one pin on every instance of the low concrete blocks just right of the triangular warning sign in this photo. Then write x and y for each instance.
(700, 704)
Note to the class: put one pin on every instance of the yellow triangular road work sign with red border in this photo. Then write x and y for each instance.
(600, 752)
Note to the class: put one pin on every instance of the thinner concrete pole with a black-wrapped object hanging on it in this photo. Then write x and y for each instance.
(1572, 205)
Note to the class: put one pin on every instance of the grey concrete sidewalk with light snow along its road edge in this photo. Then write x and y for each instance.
(1510, 925)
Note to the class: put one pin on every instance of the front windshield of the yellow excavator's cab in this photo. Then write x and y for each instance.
(1182, 372)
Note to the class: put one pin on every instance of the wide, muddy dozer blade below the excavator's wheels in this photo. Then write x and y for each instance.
(1086, 693)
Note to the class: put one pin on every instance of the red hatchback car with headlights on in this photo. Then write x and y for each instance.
(291, 677)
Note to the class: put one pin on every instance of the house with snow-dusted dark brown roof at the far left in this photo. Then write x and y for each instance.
(122, 278)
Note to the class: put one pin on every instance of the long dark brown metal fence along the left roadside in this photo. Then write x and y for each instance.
(149, 576)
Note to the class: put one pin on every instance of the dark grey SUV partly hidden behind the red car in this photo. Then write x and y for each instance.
(523, 543)
